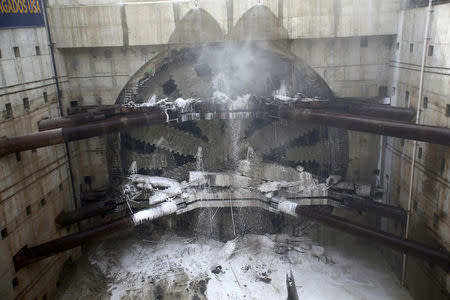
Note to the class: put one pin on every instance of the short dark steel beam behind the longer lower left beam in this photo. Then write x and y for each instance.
(68, 218)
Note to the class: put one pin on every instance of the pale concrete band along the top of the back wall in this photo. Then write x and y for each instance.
(131, 23)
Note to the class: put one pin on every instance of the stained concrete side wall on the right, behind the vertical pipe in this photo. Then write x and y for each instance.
(431, 184)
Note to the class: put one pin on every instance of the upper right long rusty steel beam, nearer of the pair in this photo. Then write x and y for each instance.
(430, 134)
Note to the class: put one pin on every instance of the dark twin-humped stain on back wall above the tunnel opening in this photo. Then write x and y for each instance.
(259, 23)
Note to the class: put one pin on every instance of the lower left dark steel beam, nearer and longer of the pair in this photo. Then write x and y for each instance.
(28, 256)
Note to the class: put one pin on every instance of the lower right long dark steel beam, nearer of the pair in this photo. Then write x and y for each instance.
(407, 246)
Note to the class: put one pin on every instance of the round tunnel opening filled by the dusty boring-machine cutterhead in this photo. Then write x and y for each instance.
(237, 76)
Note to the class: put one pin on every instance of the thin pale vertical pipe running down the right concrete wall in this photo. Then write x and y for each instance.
(413, 162)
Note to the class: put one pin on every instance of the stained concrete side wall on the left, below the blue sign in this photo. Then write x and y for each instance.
(34, 185)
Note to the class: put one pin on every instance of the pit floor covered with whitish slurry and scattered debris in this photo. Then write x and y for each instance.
(131, 266)
